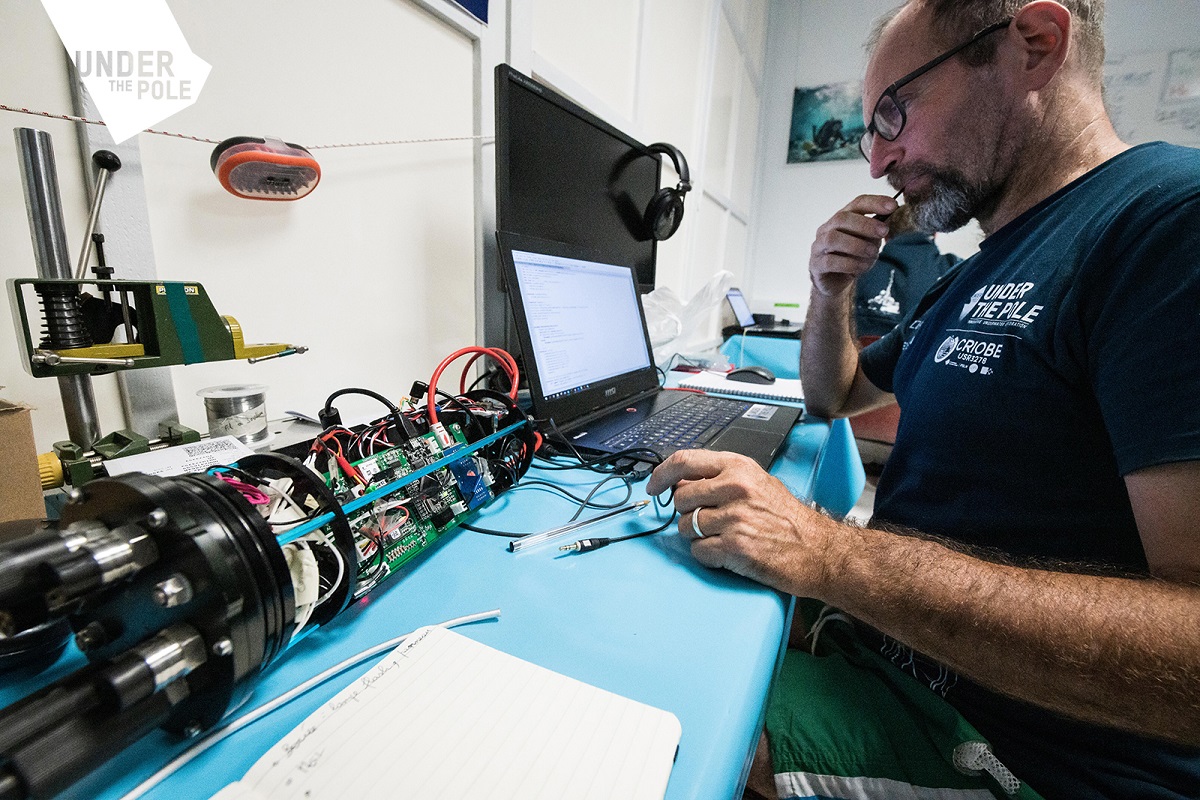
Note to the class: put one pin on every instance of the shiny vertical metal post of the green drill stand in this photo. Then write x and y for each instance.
(40, 179)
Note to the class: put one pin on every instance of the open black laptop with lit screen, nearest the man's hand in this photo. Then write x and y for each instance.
(590, 365)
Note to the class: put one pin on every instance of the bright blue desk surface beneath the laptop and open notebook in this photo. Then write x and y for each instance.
(639, 618)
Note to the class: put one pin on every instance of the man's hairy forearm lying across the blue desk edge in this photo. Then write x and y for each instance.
(1117, 652)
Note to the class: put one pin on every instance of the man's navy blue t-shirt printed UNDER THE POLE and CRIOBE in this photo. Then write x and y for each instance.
(1031, 380)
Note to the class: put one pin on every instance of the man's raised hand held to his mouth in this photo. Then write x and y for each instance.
(849, 244)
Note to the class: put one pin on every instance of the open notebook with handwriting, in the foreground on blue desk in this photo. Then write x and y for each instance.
(446, 717)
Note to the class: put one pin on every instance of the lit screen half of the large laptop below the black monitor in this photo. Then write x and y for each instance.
(581, 327)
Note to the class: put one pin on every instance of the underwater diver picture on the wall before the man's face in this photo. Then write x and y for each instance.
(827, 123)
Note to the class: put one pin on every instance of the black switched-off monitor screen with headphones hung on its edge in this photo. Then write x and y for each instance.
(567, 176)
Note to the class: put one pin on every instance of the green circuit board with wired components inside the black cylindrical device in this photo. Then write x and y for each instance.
(407, 521)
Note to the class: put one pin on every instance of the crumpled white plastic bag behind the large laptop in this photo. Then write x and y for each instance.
(687, 329)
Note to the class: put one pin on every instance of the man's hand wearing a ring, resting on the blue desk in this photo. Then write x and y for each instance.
(752, 525)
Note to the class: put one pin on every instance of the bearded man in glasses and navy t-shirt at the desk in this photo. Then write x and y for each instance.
(1035, 539)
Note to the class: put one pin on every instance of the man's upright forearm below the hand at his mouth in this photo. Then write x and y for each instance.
(829, 353)
